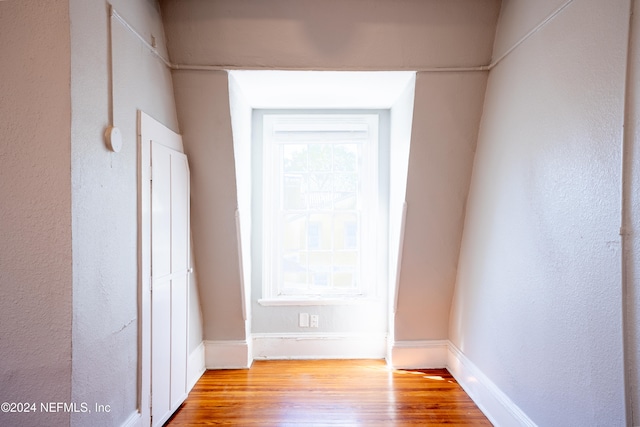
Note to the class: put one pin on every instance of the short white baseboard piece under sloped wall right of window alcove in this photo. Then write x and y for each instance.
(418, 354)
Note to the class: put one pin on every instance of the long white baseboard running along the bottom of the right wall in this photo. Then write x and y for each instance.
(496, 405)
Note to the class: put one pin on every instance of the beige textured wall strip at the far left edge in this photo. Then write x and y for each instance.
(35, 208)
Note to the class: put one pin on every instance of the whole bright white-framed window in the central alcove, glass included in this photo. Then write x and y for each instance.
(319, 204)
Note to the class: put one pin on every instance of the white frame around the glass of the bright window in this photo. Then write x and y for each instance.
(273, 292)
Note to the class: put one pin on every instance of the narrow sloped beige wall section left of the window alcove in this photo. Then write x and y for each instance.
(202, 100)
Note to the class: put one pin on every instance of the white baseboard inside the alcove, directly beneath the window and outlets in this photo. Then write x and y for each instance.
(318, 346)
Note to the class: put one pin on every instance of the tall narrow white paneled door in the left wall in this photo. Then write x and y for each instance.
(169, 254)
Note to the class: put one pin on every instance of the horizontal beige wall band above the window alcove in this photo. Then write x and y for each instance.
(332, 34)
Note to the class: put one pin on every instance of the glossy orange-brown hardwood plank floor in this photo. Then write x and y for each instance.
(327, 393)
